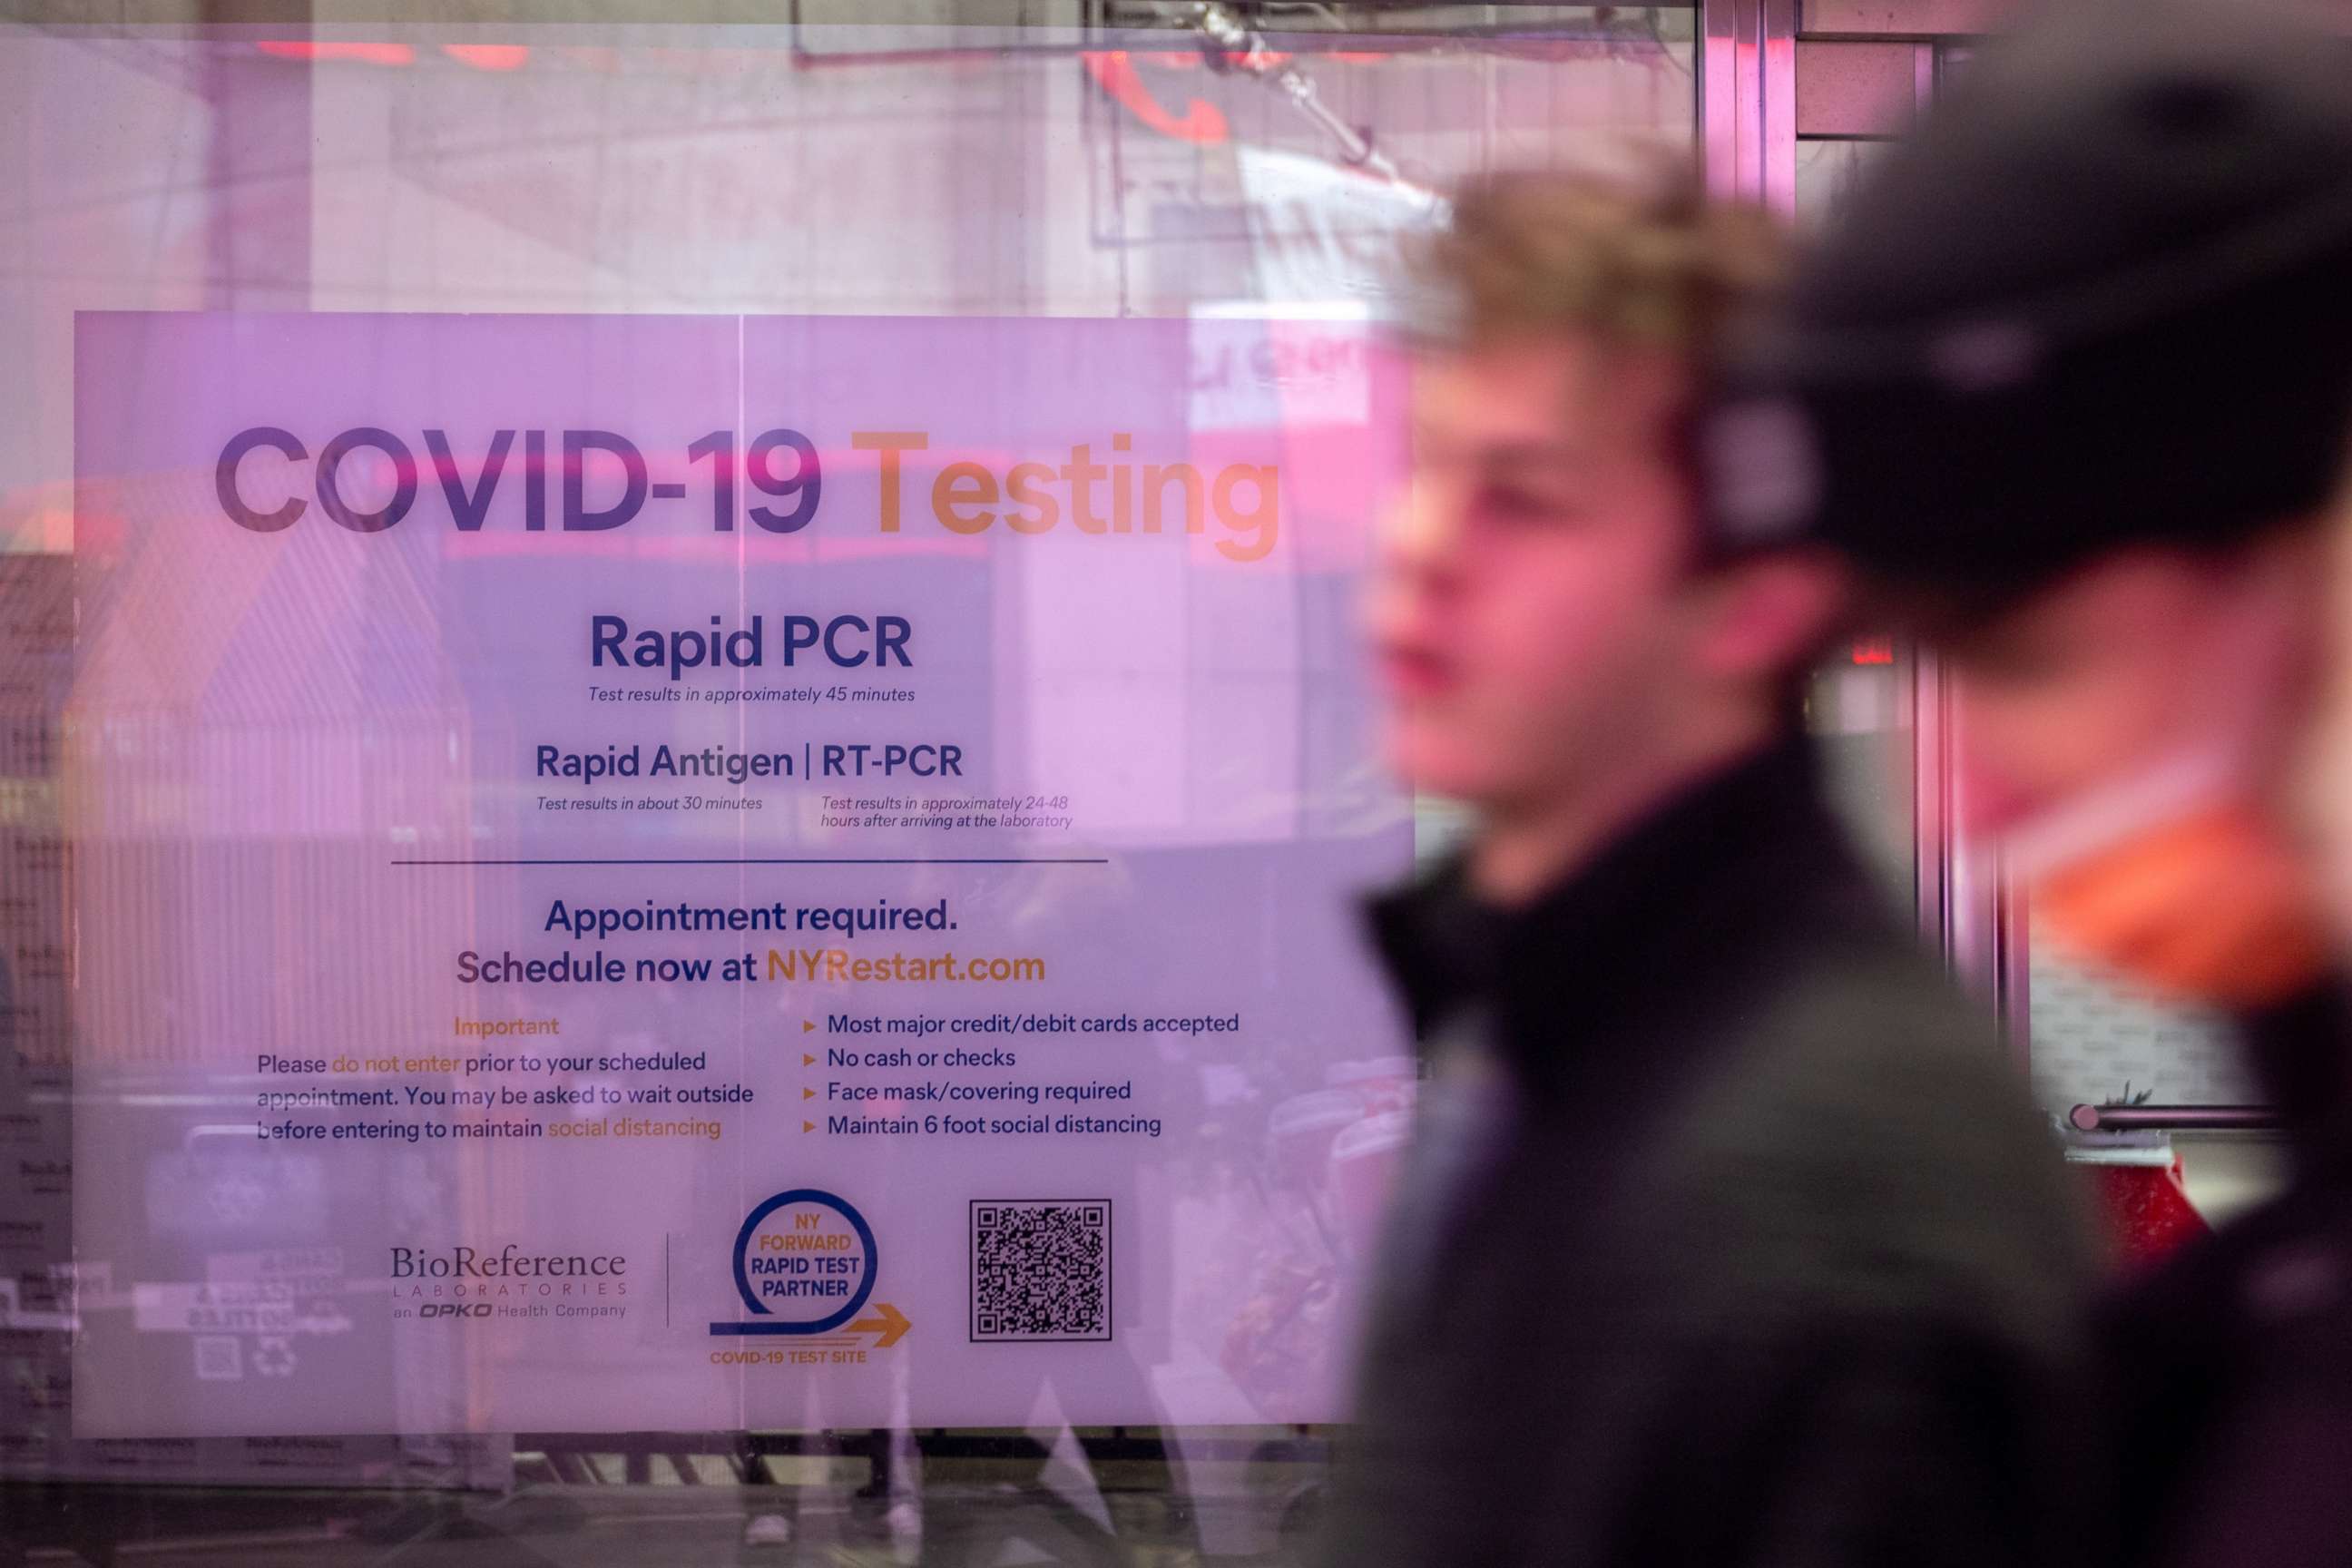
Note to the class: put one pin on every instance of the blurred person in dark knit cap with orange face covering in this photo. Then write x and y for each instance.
(2073, 384)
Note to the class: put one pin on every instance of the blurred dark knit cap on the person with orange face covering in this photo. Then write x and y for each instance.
(2102, 300)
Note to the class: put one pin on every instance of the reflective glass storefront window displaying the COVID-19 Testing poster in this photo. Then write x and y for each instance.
(683, 772)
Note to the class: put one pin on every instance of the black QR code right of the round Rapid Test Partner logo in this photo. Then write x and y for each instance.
(1041, 1271)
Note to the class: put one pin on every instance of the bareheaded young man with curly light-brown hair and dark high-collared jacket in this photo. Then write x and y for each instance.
(1725, 1235)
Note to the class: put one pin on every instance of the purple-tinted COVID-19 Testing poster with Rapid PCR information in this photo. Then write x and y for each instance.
(1050, 674)
